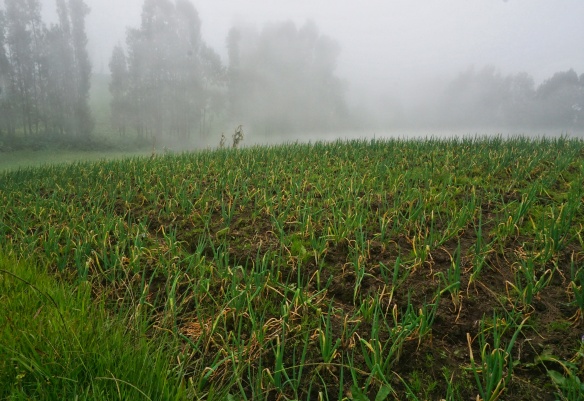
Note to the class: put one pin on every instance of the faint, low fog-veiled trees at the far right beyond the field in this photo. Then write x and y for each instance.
(486, 97)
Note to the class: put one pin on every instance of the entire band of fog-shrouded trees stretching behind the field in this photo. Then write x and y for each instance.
(168, 86)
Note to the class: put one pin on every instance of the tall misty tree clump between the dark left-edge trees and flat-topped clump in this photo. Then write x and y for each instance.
(171, 72)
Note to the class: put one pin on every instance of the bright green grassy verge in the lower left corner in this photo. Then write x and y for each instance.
(57, 344)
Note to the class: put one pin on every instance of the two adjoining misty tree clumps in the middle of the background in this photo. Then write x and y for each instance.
(168, 84)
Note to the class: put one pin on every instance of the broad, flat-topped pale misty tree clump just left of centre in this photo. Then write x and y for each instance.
(283, 78)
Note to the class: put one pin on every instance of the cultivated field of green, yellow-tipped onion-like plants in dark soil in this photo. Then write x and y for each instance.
(385, 269)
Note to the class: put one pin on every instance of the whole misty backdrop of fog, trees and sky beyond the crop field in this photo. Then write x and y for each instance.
(182, 73)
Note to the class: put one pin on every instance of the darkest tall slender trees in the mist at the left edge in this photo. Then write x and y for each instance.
(45, 72)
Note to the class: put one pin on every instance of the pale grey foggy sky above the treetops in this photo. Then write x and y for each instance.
(387, 44)
